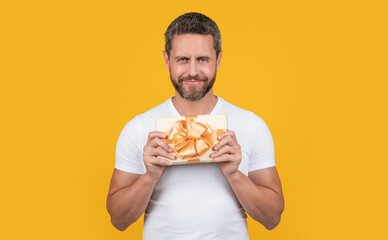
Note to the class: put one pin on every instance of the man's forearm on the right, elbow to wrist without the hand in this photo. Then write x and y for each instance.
(261, 203)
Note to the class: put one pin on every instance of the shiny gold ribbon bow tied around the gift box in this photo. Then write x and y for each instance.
(190, 139)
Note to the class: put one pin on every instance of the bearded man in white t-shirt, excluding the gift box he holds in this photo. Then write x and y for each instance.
(195, 201)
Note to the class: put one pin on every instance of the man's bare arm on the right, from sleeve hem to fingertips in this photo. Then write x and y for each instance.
(260, 194)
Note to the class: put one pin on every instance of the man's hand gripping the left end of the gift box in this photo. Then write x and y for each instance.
(156, 147)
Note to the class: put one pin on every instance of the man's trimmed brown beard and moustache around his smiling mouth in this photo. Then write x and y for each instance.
(194, 93)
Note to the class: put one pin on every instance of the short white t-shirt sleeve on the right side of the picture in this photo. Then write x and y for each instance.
(262, 153)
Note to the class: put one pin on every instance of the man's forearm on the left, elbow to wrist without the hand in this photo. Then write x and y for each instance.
(128, 204)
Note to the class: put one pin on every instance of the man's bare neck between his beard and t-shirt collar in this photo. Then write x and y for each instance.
(201, 107)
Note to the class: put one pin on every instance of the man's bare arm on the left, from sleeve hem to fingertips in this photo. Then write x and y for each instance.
(129, 194)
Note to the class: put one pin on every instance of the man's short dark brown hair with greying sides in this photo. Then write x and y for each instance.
(193, 22)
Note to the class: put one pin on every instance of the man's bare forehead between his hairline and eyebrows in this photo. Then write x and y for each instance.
(189, 44)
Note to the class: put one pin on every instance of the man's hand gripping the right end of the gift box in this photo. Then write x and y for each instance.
(227, 153)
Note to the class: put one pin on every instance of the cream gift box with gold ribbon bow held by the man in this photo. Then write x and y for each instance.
(192, 137)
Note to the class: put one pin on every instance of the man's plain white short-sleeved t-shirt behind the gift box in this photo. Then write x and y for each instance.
(195, 201)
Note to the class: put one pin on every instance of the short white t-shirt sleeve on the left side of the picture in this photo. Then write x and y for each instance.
(128, 155)
